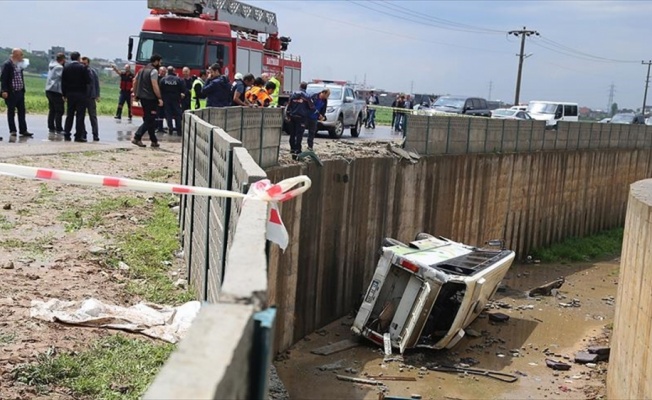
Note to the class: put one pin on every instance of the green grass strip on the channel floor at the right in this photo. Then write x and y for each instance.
(607, 243)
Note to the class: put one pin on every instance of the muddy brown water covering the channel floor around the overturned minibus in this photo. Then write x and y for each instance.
(538, 328)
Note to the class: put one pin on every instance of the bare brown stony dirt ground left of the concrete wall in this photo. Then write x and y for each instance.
(39, 259)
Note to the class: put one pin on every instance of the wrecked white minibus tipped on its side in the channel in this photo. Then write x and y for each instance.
(424, 294)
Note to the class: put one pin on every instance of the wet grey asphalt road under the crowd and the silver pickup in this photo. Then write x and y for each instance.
(112, 131)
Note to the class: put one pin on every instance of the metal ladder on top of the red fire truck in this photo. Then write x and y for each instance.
(241, 16)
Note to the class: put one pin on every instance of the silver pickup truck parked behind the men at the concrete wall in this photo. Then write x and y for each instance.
(344, 109)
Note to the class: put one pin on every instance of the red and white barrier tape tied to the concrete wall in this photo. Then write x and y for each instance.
(262, 190)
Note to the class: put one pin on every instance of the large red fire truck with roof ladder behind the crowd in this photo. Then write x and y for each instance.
(198, 33)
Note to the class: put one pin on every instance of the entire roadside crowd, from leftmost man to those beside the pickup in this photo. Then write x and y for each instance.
(73, 89)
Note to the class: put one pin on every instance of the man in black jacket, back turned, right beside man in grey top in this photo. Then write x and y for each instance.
(74, 86)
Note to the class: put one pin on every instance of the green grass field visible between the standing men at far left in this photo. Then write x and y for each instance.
(37, 103)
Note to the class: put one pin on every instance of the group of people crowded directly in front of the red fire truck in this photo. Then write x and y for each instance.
(164, 96)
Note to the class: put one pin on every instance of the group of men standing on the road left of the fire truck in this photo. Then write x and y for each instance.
(72, 88)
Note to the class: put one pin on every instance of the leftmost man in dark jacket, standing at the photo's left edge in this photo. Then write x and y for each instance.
(12, 90)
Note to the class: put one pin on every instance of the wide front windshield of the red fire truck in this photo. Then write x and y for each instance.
(175, 53)
